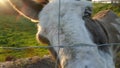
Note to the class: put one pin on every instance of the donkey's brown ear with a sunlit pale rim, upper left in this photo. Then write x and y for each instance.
(28, 8)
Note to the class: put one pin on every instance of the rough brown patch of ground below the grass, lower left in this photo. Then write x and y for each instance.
(34, 62)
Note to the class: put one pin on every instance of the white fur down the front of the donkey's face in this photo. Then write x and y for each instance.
(72, 31)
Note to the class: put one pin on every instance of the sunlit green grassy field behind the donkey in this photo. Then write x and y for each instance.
(16, 31)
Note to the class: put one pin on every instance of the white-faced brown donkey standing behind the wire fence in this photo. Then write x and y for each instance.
(68, 23)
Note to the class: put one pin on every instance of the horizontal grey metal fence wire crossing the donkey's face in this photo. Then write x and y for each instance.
(61, 46)
